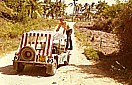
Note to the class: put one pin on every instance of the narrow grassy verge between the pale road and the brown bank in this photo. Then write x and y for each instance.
(83, 39)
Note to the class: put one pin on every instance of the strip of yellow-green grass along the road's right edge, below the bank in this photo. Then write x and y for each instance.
(85, 39)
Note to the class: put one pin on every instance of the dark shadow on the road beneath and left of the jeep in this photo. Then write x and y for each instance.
(28, 71)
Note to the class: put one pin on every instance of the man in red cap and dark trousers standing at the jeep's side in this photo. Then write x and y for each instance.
(68, 33)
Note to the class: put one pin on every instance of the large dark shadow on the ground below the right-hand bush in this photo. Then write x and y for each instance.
(108, 67)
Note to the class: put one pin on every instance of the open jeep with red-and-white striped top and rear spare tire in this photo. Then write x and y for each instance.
(41, 48)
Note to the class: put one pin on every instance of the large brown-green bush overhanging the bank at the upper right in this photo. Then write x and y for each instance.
(117, 19)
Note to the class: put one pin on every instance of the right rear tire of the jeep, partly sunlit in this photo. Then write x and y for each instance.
(51, 69)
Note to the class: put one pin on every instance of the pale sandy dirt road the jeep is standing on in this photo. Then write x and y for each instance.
(80, 71)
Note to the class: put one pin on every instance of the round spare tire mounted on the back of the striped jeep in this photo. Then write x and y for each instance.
(27, 54)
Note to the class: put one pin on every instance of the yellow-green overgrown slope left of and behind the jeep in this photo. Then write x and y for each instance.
(13, 25)
